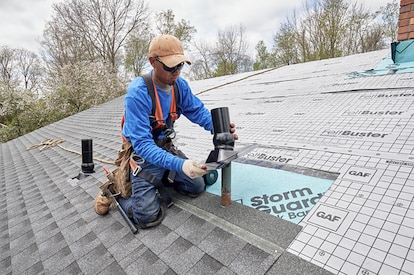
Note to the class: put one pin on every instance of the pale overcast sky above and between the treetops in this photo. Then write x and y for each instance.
(22, 22)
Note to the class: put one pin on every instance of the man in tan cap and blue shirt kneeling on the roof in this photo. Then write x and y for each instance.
(151, 134)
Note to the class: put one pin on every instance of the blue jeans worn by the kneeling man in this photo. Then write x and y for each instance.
(144, 203)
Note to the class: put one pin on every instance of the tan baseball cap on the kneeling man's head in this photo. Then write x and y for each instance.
(169, 49)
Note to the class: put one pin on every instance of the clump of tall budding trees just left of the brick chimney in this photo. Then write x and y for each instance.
(332, 28)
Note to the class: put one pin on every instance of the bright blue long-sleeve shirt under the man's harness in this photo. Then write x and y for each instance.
(137, 128)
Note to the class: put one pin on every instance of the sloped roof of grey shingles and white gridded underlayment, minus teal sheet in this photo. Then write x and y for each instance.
(48, 225)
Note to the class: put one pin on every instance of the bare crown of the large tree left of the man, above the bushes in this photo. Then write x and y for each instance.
(92, 29)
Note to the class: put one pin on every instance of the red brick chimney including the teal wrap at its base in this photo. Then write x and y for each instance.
(402, 51)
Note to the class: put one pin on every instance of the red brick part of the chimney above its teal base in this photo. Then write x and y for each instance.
(406, 20)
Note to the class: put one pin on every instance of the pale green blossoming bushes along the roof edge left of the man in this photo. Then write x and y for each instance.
(82, 86)
